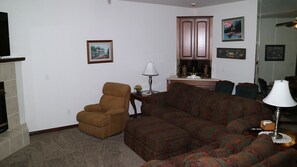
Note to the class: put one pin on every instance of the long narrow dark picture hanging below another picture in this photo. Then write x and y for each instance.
(231, 53)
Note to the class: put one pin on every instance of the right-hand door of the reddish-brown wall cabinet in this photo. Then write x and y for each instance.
(202, 38)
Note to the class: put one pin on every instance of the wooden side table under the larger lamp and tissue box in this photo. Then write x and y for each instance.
(279, 147)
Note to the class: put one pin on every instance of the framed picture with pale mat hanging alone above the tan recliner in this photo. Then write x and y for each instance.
(99, 51)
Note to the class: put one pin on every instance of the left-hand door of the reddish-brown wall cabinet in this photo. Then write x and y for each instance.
(186, 38)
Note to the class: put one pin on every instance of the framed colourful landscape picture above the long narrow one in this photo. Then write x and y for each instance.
(233, 29)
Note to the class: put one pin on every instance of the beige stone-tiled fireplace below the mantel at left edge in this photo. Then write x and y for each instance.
(14, 133)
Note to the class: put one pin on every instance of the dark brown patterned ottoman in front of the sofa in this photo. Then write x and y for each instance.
(153, 138)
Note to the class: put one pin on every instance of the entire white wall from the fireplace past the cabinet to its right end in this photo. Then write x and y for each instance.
(52, 34)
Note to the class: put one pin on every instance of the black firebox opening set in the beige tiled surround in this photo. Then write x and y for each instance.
(3, 113)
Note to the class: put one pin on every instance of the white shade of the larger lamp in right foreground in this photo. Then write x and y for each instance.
(280, 95)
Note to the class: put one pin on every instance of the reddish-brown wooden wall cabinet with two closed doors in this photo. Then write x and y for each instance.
(194, 36)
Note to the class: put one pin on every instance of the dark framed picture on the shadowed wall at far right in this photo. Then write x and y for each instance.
(274, 52)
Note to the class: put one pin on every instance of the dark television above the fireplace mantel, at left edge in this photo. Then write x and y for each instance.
(4, 35)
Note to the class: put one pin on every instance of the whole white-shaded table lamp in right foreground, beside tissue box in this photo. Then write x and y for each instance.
(279, 96)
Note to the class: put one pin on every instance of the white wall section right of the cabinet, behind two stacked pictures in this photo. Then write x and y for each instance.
(234, 69)
